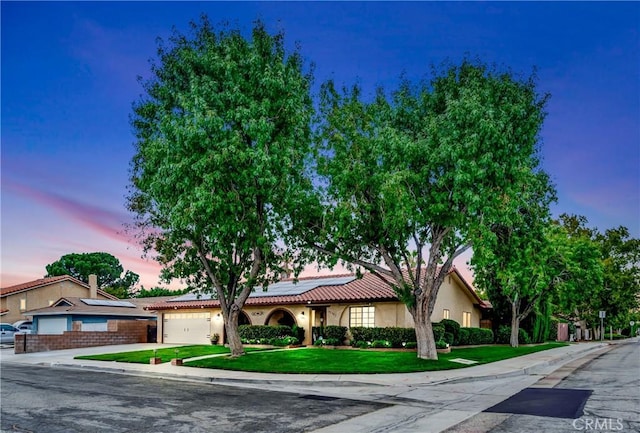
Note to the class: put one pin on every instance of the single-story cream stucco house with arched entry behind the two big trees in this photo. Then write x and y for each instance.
(312, 302)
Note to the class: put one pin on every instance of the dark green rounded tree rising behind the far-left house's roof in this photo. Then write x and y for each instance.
(111, 275)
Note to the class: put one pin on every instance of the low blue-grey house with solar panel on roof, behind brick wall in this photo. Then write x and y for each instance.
(85, 314)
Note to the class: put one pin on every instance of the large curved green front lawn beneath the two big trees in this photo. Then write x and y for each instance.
(327, 361)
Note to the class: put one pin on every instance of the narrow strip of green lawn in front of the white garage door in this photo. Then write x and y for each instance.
(167, 354)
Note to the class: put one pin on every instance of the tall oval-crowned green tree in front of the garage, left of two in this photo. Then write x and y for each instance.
(222, 132)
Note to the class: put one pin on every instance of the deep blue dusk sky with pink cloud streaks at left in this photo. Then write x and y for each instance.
(69, 78)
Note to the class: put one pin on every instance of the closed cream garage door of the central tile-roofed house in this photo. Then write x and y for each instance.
(187, 328)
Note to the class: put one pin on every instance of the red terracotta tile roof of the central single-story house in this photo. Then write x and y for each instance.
(367, 289)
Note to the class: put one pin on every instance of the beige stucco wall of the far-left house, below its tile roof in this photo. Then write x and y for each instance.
(40, 297)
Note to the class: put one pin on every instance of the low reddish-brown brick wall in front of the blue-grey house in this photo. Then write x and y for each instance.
(119, 332)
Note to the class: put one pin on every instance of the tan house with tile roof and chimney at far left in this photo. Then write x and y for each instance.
(16, 300)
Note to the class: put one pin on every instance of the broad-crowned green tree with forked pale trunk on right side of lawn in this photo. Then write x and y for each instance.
(426, 170)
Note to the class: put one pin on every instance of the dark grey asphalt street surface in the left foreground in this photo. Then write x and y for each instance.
(57, 400)
